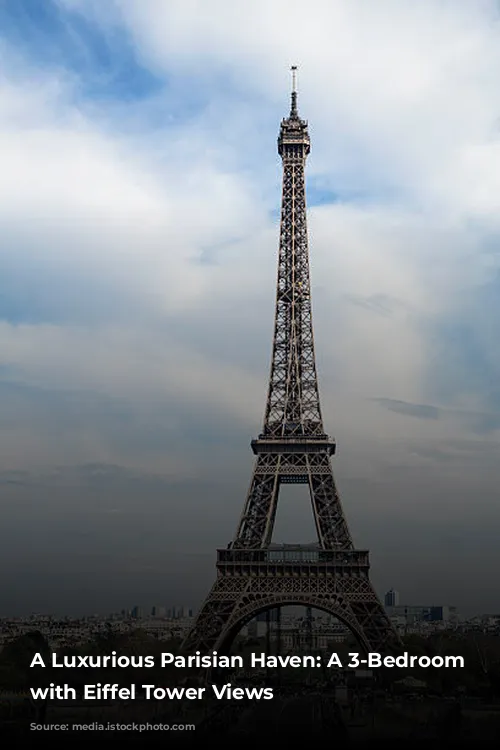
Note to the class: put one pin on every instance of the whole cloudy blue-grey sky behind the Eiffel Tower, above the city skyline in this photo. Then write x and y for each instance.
(139, 211)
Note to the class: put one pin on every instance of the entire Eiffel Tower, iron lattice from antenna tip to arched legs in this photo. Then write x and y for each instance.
(254, 575)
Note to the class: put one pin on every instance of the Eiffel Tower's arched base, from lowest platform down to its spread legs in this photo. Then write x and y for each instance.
(252, 581)
